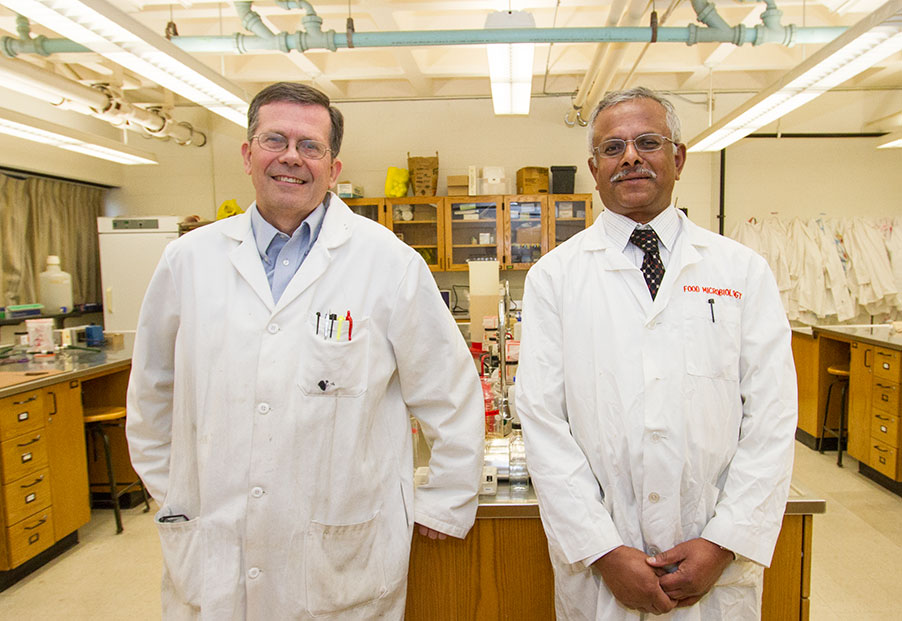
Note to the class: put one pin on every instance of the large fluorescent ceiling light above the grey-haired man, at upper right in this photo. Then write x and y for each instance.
(868, 42)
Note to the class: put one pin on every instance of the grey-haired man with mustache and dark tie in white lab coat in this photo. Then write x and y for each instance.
(658, 412)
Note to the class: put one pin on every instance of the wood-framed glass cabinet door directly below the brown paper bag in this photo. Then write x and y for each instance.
(416, 221)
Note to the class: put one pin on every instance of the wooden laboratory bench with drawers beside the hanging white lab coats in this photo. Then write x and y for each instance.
(874, 358)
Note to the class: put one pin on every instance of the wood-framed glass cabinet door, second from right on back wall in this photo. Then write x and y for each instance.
(525, 238)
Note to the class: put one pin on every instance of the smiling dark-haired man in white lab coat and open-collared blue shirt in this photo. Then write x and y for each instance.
(278, 356)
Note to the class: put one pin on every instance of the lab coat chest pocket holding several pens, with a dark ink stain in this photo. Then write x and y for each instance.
(334, 368)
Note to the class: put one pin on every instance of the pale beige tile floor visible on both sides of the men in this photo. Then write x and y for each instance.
(856, 558)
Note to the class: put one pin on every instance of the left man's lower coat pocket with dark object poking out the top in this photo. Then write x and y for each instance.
(182, 544)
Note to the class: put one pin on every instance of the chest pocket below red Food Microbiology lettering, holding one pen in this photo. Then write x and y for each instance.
(712, 336)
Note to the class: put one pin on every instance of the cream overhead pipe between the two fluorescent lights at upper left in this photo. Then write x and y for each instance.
(99, 101)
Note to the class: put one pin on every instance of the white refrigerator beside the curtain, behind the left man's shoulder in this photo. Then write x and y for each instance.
(130, 248)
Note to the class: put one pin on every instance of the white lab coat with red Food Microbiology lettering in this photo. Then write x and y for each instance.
(648, 424)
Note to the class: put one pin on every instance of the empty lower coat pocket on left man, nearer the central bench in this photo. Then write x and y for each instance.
(344, 567)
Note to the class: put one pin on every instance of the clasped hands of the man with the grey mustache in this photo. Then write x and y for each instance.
(645, 584)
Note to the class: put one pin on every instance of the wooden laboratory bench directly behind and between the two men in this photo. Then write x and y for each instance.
(502, 569)
